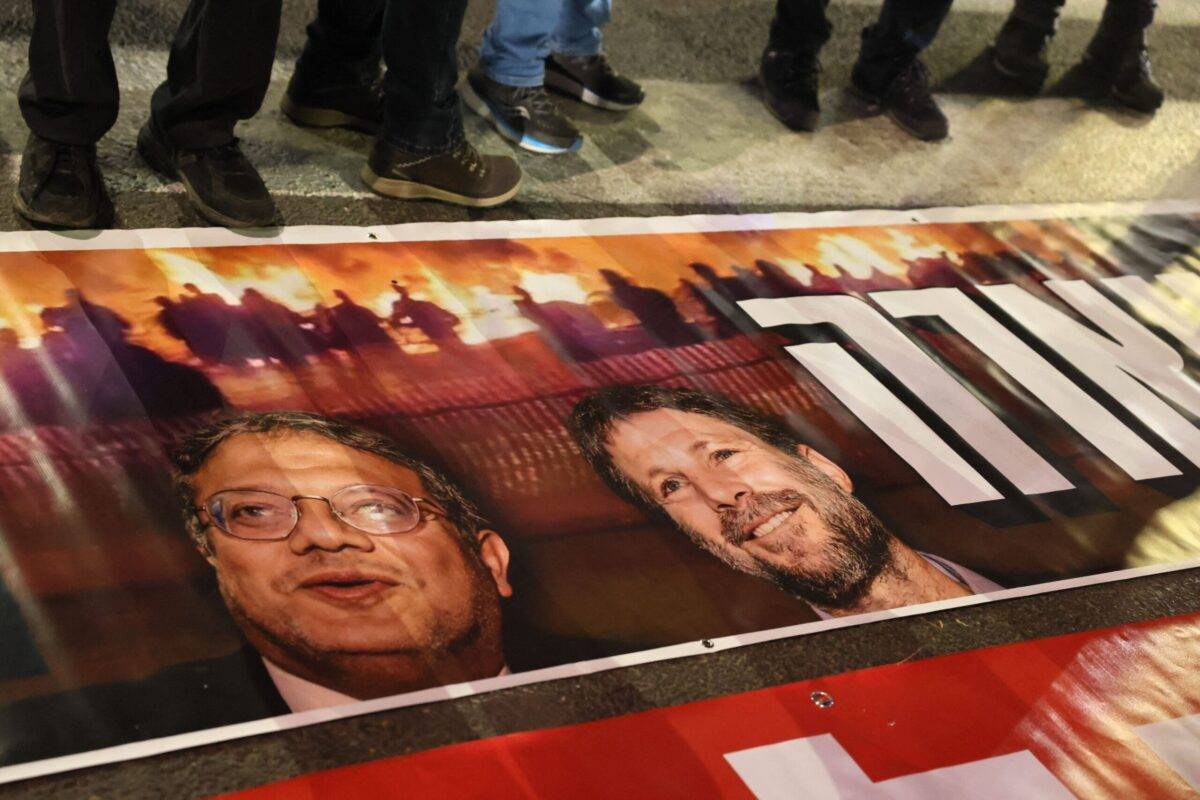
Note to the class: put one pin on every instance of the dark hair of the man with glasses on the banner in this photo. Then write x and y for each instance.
(191, 454)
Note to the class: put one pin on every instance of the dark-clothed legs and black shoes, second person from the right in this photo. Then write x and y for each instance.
(889, 75)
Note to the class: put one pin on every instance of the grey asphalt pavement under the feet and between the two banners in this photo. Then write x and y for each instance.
(701, 143)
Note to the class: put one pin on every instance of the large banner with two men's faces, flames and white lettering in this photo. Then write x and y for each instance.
(253, 484)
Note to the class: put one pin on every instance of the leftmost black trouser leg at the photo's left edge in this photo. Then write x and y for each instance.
(70, 93)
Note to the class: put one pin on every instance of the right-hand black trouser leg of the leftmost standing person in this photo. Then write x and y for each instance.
(219, 70)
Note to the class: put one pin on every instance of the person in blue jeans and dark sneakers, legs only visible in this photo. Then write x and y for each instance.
(538, 45)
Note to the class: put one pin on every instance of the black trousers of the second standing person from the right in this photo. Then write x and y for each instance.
(903, 31)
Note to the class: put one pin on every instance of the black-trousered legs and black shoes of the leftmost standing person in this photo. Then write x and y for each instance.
(218, 73)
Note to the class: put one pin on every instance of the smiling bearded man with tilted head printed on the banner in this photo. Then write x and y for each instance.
(745, 489)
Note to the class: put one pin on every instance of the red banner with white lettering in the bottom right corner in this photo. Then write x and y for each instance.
(1105, 714)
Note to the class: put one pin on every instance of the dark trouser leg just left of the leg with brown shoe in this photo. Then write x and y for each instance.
(344, 43)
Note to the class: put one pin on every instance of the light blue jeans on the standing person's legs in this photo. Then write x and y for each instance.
(524, 33)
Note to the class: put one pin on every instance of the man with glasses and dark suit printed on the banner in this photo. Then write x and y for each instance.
(353, 569)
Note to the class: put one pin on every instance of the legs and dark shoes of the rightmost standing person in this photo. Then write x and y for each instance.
(1118, 58)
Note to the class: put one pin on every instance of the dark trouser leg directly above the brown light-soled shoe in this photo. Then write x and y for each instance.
(419, 41)
